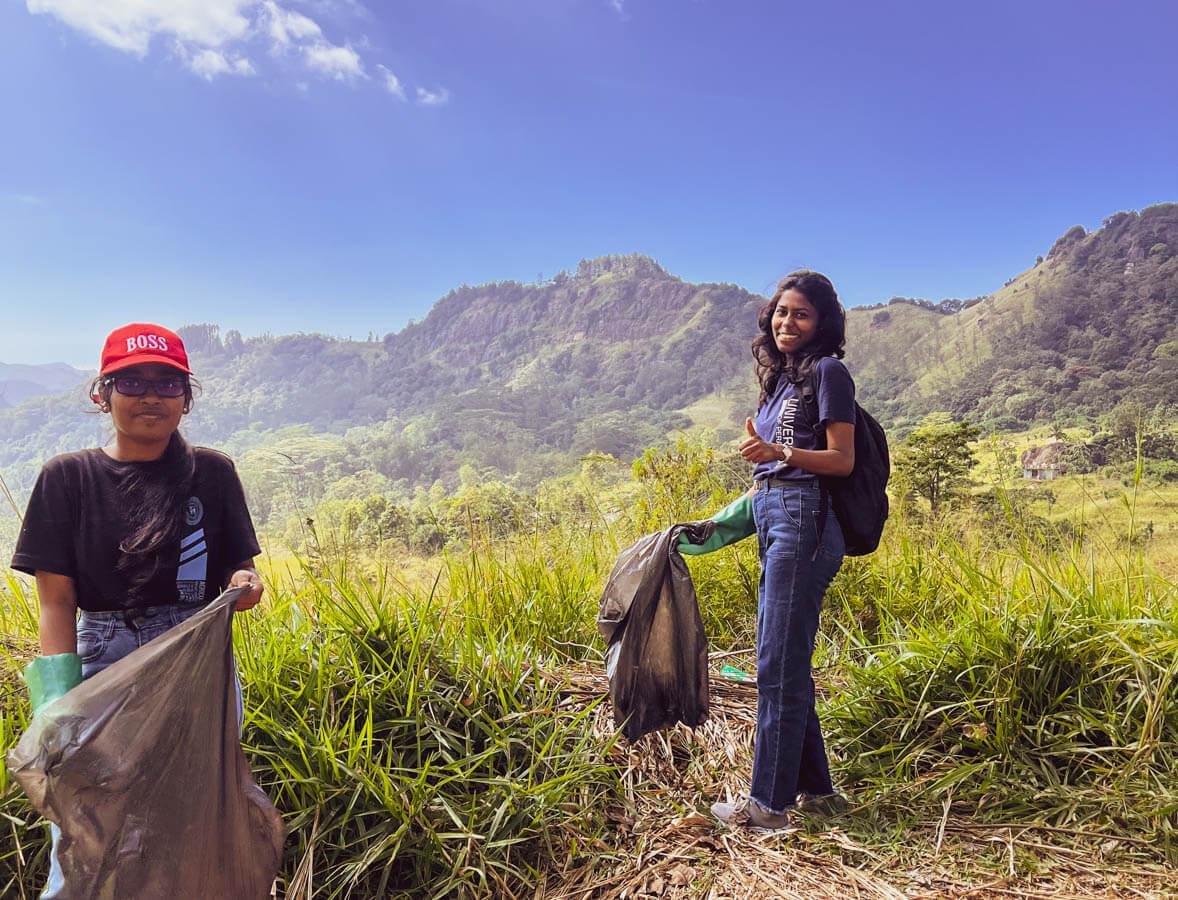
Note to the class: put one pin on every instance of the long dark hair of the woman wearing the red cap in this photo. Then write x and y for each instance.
(158, 494)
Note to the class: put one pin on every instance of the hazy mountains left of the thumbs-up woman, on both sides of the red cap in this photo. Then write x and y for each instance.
(512, 376)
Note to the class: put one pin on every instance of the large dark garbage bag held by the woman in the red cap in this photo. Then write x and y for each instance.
(142, 769)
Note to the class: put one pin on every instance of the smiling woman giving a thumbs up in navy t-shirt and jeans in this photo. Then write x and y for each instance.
(802, 546)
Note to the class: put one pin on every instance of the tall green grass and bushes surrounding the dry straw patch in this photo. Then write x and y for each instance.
(407, 723)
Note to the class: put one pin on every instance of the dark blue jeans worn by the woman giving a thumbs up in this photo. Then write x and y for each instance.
(797, 568)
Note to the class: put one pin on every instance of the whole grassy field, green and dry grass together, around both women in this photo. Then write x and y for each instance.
(1000, 703)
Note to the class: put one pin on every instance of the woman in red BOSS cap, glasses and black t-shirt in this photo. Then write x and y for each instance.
(130, 540)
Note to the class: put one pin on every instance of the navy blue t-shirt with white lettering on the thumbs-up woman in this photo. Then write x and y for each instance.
(782, 420)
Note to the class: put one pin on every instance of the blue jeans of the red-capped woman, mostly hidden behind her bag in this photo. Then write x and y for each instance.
(103, 640)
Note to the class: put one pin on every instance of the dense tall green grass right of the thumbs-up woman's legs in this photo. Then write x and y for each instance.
(1027, 686)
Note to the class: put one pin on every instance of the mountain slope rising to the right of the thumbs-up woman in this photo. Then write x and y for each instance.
(1093, 323)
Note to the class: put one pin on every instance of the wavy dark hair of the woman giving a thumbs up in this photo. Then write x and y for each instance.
(829, 340)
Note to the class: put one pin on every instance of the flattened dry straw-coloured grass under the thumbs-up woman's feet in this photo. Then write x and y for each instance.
(664, 843)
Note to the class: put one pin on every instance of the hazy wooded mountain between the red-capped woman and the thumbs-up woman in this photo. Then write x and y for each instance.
(620, 335)
